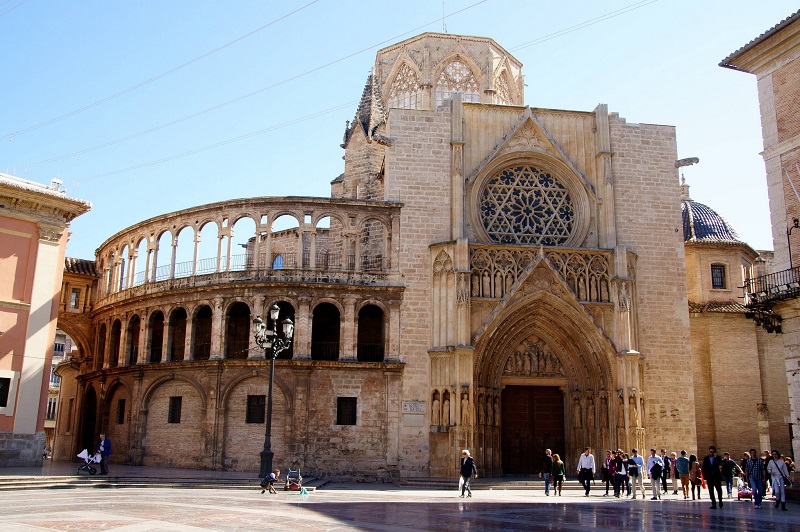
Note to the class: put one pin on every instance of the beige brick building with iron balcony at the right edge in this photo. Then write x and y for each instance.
(774, 57)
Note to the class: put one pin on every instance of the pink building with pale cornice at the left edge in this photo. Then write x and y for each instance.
(33, 237)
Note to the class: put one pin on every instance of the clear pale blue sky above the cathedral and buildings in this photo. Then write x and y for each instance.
(149, 107)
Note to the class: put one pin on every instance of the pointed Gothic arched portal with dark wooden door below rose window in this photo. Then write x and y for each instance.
(548, 369)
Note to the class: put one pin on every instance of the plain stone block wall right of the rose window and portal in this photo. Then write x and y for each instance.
(648, 223)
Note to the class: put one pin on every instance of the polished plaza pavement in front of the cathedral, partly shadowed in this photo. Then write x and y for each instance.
(351, 506)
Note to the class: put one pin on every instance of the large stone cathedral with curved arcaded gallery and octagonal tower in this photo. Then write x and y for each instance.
(485, 275)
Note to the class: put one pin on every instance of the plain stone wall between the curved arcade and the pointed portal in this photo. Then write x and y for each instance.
(418, 174)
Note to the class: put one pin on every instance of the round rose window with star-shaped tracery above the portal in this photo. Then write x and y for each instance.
(527, 206)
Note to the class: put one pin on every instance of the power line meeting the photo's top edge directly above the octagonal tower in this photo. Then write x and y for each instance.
(78, 153)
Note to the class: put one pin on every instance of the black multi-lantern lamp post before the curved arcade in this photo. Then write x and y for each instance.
(267, 339)
